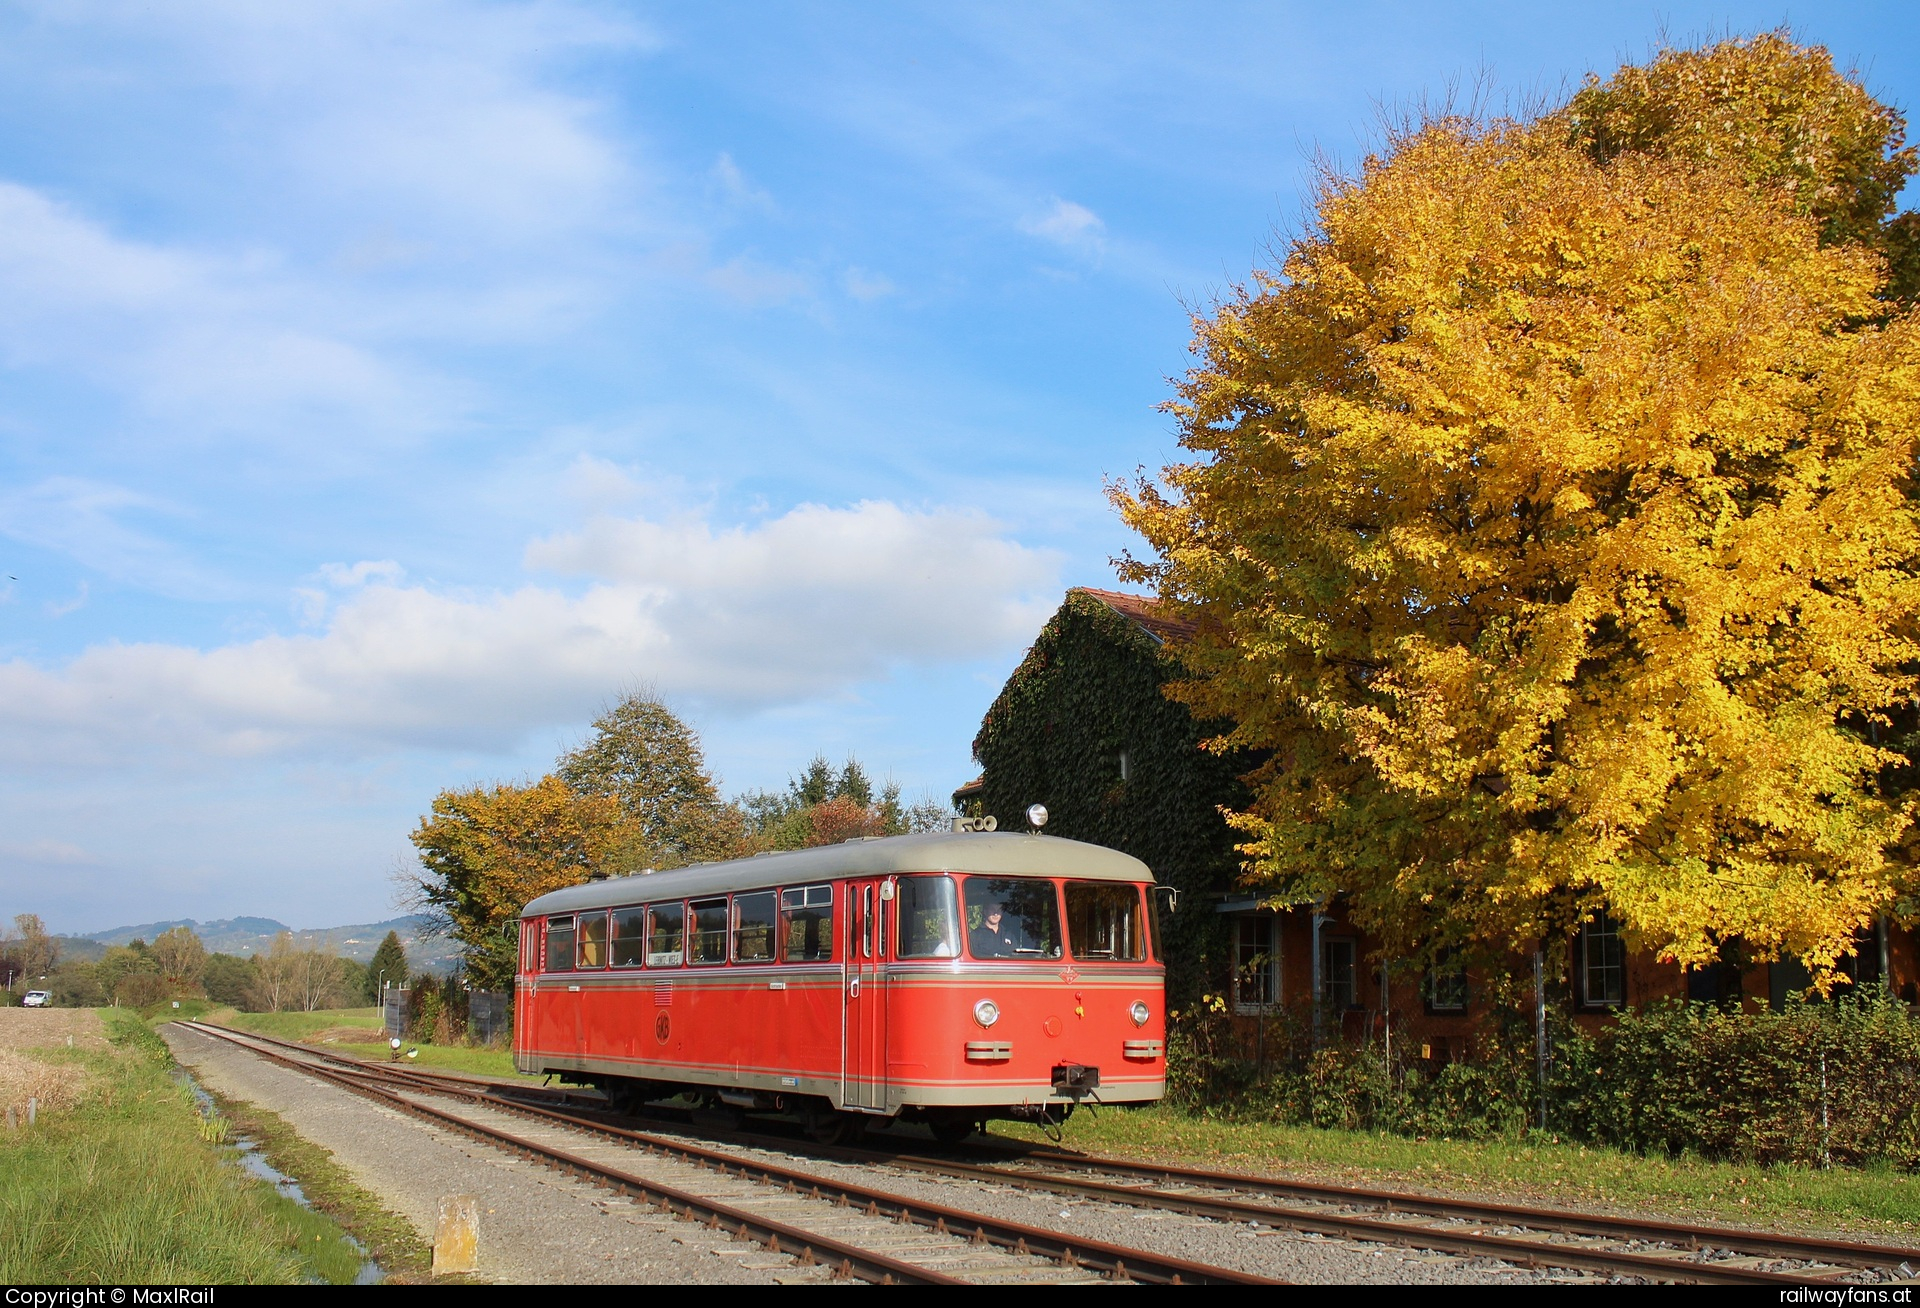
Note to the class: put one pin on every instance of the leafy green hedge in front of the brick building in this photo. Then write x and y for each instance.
(1817, 1084)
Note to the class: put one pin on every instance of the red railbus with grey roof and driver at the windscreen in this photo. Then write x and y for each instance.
(944, 979)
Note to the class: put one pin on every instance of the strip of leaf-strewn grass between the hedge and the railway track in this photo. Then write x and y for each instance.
(1871, 1203)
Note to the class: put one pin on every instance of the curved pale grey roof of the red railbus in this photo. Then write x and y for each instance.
(942, 852)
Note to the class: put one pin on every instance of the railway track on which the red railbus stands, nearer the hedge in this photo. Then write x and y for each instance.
(1518, 1234)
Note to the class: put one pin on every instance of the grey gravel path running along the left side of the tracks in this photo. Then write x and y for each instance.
(537, 1226)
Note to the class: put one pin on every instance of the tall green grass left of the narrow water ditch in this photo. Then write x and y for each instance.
(132, 1186)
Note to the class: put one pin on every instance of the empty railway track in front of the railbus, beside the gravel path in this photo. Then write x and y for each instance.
(855, 1230)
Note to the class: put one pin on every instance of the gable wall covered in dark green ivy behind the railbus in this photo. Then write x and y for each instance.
(1086, 694)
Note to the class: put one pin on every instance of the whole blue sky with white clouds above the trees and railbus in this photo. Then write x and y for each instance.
(385, 387)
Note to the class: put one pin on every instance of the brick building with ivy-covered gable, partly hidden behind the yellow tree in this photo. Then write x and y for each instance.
(1084, 729)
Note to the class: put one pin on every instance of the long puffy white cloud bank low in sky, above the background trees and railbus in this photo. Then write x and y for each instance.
(804, 606)
